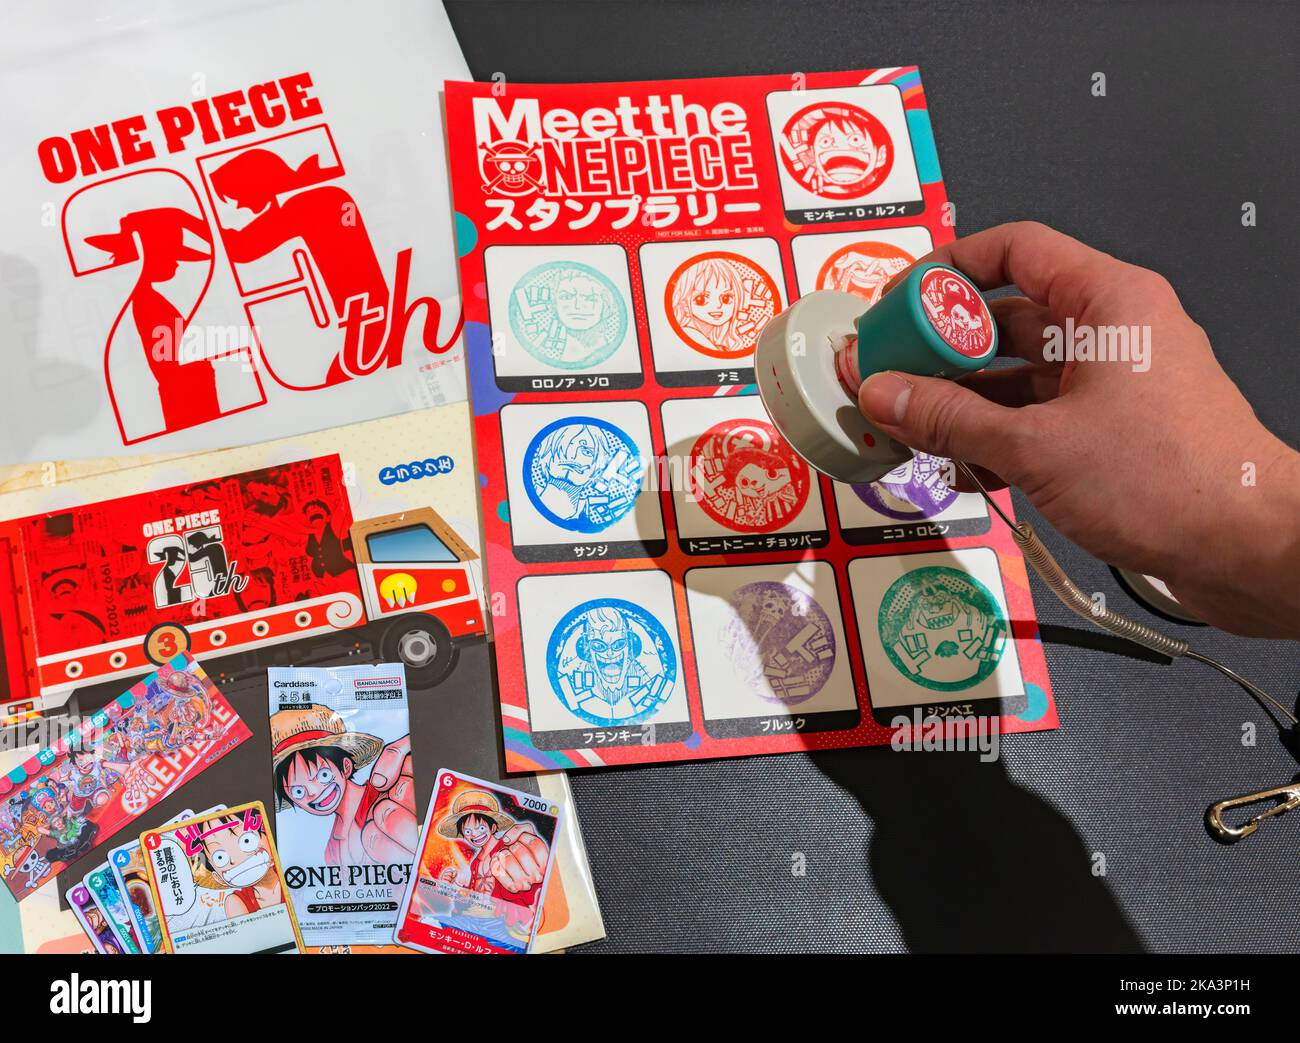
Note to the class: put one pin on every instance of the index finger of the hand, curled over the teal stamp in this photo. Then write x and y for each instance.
(1050, 267)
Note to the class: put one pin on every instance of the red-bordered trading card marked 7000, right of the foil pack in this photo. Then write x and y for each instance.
(486, 859)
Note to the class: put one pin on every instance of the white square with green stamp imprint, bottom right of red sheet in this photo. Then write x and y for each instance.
(937, 635)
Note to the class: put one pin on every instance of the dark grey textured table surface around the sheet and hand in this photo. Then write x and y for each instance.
(924, 854)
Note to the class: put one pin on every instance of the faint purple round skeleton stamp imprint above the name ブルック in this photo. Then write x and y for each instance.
(781, 642)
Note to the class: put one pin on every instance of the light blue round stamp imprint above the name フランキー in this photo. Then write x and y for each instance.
(612, 663)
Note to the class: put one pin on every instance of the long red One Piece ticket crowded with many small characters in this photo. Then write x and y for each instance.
(106, 774)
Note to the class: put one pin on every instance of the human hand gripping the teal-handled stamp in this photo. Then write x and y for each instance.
(1162, 470)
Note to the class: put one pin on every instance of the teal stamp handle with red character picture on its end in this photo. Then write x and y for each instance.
(934, 323)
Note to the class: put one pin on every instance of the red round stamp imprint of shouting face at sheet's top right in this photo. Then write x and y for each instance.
(837, 150)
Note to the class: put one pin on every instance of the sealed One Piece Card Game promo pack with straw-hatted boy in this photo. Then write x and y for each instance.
(345, 798)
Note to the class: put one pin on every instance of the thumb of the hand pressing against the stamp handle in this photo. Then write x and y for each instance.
(944, 419)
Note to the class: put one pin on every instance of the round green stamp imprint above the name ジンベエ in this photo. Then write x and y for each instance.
(942, 629)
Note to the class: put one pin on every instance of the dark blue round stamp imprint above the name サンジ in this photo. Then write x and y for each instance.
(583, 474)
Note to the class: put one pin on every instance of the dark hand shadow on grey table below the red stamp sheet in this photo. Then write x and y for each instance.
(969, 862)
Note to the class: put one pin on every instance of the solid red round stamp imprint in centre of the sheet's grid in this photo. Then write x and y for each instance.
(747, 478)
